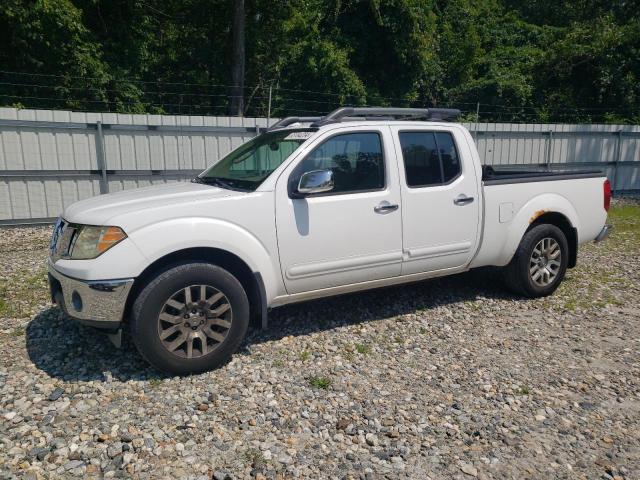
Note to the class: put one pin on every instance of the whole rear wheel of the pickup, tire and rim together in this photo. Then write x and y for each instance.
(540, 262)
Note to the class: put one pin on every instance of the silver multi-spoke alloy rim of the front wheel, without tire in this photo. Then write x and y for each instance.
(194, 321)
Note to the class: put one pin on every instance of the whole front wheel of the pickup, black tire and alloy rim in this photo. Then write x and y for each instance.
(190, 318)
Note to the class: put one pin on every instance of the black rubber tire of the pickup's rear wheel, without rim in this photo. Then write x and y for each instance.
(517, 274)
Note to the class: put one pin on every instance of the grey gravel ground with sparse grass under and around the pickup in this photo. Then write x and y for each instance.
(451, 378)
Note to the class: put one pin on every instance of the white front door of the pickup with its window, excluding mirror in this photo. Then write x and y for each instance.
(352, 233)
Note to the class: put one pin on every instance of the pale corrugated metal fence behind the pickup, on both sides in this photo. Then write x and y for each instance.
(50, 159)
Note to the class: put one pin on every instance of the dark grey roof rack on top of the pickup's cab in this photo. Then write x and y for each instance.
(371, 114)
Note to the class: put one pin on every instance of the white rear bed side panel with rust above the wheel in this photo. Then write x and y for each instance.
(511, 208)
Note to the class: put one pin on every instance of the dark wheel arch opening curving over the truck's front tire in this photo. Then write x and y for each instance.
(252, 282)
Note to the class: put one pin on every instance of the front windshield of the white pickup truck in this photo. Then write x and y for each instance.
(250, 164)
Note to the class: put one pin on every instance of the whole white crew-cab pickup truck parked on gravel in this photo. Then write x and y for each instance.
(360, 198)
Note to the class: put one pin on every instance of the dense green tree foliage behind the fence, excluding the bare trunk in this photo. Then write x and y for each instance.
(522, 61)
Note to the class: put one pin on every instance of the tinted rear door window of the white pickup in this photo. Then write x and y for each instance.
(430, 158)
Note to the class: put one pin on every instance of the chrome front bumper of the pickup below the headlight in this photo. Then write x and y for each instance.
(98, 303)
